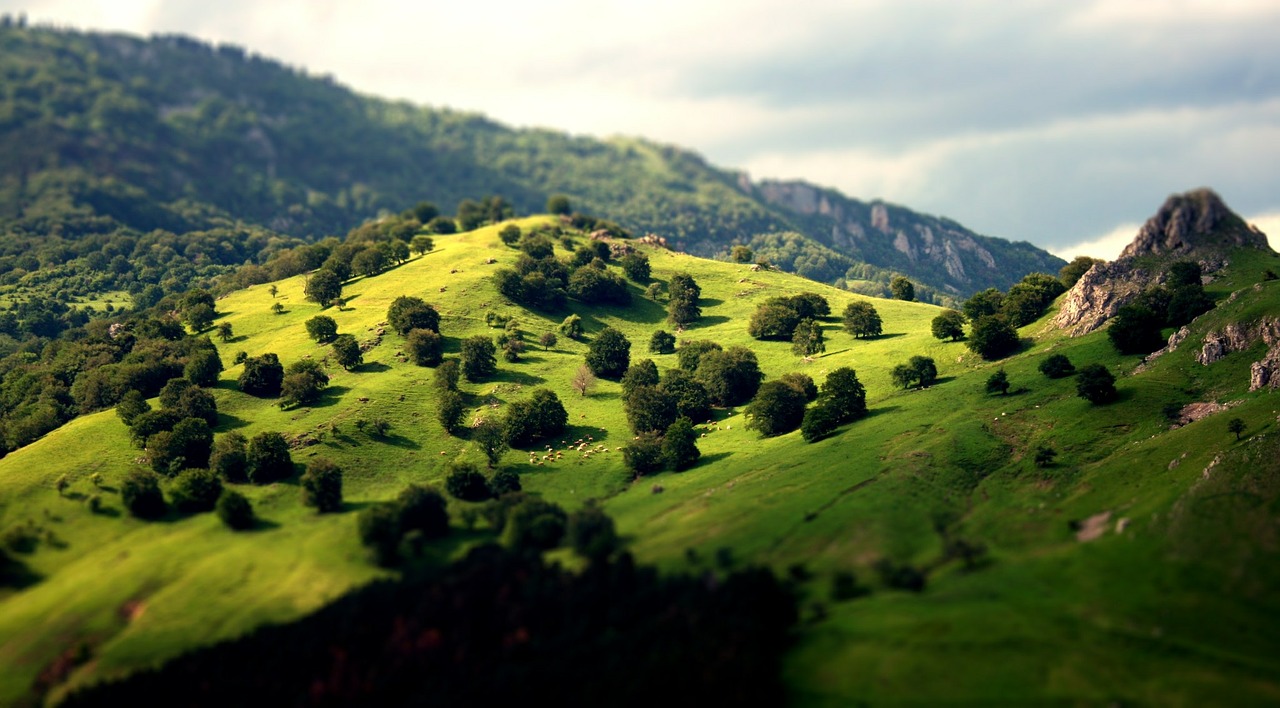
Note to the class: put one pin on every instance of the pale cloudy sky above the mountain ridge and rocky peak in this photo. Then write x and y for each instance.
(1064, 124)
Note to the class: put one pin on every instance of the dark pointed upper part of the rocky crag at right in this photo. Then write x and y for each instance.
(1192, 222)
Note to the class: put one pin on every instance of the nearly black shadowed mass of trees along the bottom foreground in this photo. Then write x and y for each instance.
(501, 627)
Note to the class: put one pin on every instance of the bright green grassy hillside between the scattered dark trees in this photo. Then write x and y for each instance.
(1176, 609)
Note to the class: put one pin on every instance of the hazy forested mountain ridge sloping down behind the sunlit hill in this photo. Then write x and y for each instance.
(104, 133)
